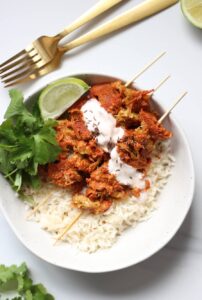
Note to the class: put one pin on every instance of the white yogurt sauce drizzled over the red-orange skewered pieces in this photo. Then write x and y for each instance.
(99, 121)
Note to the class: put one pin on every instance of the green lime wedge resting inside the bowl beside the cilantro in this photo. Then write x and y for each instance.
(60, 95)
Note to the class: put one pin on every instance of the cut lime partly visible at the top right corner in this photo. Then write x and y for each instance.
(192, 9)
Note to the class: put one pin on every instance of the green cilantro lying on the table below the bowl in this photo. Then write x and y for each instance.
(17, 279)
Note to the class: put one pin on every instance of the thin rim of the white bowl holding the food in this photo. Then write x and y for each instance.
(172, 233)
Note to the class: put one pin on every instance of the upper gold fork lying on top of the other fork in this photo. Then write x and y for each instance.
(43, 50)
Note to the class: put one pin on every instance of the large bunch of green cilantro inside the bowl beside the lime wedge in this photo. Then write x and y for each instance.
(26, 141)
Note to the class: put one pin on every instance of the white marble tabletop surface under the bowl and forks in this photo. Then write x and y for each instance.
(176, 271)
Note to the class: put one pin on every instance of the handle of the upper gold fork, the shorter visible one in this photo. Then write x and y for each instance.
(96, 10)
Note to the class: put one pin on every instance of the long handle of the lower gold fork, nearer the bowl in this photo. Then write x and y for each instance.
(139, 12)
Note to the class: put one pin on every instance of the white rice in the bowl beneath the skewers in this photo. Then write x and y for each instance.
(93, 232)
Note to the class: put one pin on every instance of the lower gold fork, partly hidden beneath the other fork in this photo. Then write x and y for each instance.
(139, 12)
